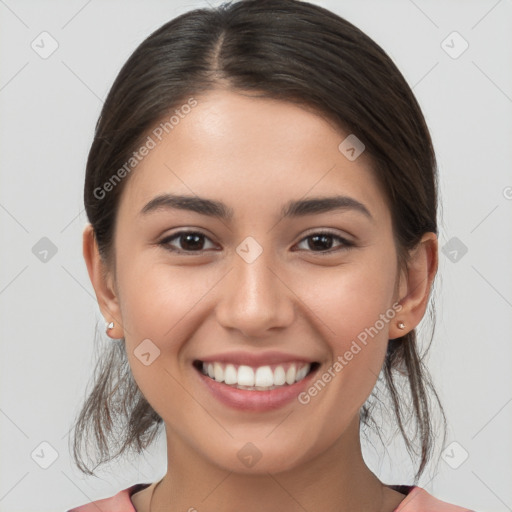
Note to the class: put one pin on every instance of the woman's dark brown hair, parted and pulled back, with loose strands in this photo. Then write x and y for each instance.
(292, 51)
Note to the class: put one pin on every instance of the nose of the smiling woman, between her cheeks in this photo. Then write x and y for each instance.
(255, 299)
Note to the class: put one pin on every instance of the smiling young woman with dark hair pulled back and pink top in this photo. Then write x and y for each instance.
(261, 192)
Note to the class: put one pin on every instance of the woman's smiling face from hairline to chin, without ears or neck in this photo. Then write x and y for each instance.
(266, 283)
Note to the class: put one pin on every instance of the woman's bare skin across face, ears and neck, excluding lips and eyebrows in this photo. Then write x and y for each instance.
(255, 155)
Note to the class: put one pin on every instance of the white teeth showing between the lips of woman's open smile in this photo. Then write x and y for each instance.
(261, 378)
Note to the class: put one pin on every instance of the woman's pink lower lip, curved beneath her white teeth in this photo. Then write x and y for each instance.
(257, 401)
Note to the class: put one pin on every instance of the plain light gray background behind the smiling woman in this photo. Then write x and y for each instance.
(49, 108)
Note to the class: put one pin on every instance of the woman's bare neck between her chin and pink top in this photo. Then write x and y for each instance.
(335, 480)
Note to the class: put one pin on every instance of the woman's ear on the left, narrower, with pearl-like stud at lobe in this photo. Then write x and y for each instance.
(103, 282)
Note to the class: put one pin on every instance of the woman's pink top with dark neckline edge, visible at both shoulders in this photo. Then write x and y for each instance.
(416, 500)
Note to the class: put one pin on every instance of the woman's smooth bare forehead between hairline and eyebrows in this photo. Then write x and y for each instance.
(247, 151)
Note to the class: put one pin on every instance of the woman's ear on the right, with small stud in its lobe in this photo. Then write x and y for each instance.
(415, 285)
